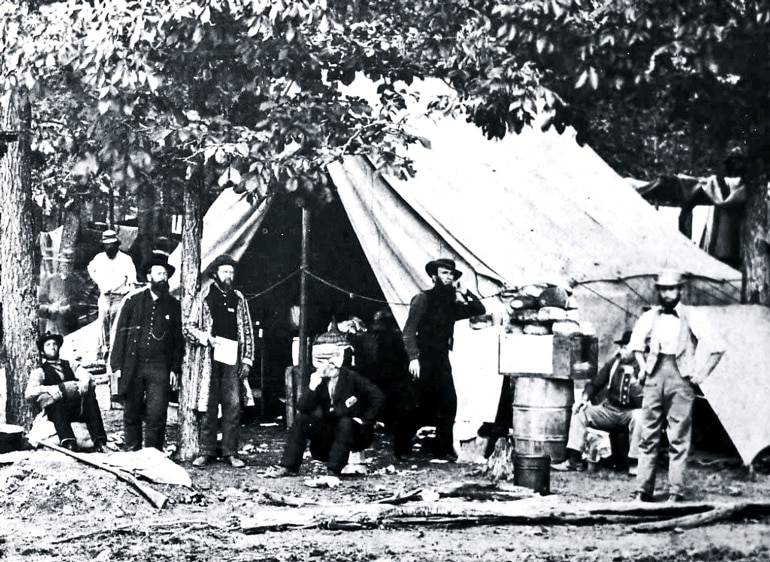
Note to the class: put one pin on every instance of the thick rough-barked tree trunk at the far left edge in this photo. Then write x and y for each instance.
(17, 250)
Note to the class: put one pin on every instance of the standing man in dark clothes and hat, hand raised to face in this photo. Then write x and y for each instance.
(428, 337)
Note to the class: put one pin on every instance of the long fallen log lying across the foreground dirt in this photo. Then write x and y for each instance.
(532, 511)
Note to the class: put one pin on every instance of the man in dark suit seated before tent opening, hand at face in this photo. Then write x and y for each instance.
(336, 412)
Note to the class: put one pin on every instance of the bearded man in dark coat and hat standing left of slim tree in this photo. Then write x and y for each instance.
(146, 356)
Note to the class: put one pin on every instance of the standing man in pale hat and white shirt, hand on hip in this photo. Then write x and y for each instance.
(681, 352)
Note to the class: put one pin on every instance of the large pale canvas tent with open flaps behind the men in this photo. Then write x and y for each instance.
(532, 208)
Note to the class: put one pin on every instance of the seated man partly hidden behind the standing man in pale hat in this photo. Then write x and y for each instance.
(620, 410)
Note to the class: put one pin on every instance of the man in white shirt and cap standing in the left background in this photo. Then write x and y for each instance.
(114, 273)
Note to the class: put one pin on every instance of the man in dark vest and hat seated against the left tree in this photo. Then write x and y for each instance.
(67, 395)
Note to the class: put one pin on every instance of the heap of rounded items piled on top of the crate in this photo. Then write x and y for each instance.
(541, 310)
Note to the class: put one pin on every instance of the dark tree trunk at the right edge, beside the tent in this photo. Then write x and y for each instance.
(754, 244)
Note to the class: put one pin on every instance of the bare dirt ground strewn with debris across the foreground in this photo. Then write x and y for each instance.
(54, 508)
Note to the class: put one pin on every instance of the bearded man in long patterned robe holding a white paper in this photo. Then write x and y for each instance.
(220, 332)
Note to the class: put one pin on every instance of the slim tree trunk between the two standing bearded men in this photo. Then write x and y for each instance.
(191, 266)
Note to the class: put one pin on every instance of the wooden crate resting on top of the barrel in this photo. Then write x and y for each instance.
(562, 357)
